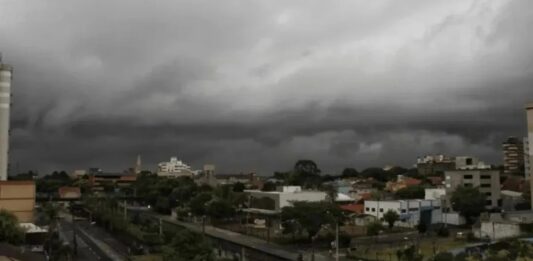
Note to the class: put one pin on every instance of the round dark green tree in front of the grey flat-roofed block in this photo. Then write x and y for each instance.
(469, 202)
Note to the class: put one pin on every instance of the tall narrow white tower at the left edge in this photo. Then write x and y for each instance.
(6, 72)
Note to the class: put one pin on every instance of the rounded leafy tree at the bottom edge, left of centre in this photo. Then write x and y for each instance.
(187, 246)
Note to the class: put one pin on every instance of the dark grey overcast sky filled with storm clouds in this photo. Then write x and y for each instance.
(256, 85)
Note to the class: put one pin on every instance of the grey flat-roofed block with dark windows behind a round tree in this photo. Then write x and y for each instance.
(488, 182)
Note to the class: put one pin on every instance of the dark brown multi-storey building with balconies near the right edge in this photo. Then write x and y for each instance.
(513, 156)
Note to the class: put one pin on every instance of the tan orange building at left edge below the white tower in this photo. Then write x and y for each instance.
(18, 197)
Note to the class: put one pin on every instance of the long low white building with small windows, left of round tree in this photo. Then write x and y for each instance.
(411, 212)
